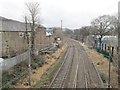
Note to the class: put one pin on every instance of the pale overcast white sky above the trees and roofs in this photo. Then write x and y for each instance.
(74, 13)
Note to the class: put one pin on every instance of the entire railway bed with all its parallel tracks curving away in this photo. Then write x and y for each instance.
(77, 71)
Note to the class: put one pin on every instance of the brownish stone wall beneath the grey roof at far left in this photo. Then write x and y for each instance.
(13, 43)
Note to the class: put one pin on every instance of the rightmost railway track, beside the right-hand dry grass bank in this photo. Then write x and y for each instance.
(92, 77)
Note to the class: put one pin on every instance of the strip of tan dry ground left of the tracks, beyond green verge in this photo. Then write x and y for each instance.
(37, 73)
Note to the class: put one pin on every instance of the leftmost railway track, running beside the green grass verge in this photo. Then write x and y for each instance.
(58, 80)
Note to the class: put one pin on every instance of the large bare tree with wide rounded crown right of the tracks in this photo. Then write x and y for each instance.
(103, 25)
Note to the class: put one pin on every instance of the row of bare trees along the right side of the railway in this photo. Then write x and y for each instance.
(100, 27)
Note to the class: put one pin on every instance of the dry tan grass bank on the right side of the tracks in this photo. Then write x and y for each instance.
(102, 65)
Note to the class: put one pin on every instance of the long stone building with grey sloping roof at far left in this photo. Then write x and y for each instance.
(13, 40)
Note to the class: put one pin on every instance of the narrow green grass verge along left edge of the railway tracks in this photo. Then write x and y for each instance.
(49, 74)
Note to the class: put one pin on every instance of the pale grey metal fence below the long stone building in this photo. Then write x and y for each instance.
(10, 62)
